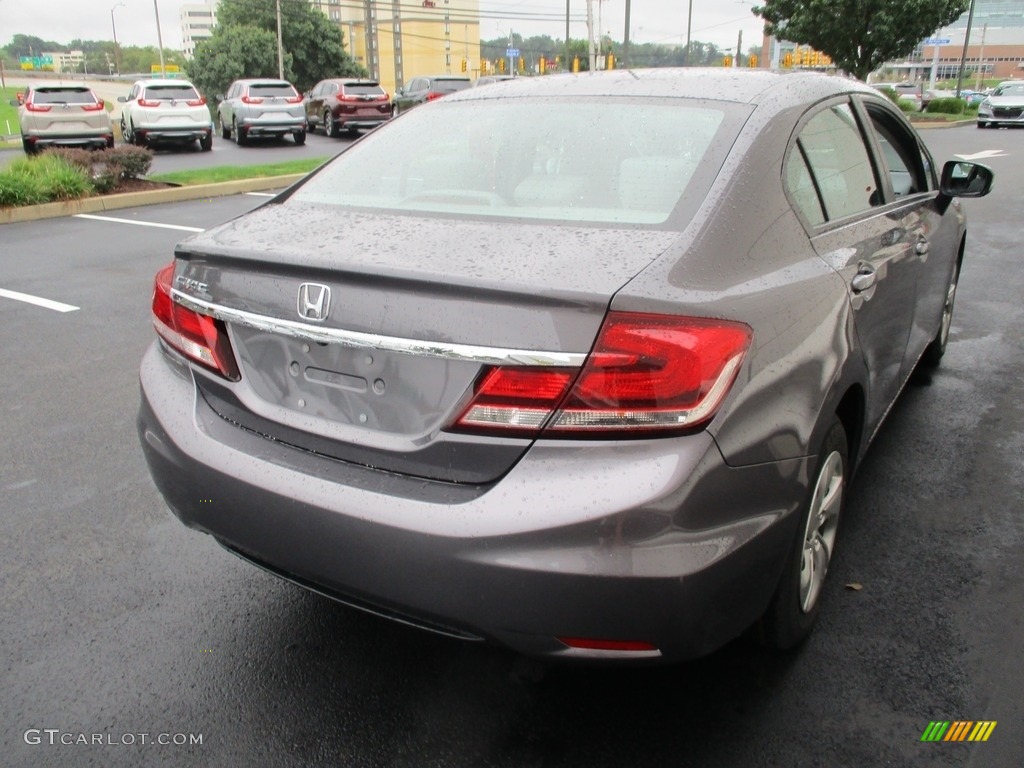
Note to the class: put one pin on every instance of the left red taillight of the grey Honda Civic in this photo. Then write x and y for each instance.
(199, 337)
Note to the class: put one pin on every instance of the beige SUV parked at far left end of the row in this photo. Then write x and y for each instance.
(62, 115)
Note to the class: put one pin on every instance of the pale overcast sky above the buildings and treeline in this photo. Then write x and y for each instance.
(716, 22)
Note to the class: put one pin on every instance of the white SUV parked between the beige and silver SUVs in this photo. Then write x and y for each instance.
(166, 111)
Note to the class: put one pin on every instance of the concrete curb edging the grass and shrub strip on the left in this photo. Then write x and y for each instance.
(132, 200)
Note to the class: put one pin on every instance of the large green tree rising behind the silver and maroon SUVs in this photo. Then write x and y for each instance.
(310, 38)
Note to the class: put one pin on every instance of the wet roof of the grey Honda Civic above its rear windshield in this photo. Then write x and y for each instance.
(720, 84)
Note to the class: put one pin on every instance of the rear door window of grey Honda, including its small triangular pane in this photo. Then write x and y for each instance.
(835, 153)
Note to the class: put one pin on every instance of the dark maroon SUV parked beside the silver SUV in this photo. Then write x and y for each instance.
(347, 105)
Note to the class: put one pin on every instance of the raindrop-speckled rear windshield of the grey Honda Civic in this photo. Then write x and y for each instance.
(623, 161)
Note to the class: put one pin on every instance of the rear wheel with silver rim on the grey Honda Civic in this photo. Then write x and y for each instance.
(794, 609)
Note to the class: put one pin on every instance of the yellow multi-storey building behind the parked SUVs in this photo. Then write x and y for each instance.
(406, 40)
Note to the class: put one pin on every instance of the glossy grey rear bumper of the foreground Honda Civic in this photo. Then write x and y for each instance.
(657, 541)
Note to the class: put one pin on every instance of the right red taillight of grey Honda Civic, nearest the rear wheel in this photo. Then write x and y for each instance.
(647, 374)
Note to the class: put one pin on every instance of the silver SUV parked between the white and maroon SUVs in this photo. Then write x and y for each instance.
(262, 108)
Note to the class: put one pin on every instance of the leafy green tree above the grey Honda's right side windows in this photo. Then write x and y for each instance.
(860, 35)
